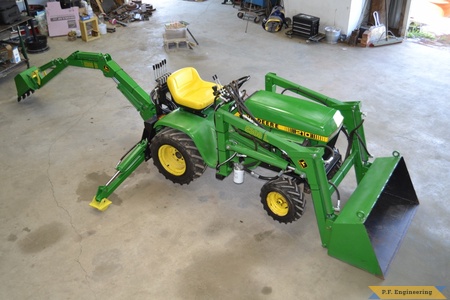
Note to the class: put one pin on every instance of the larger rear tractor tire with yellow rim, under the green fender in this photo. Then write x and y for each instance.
(176, 156)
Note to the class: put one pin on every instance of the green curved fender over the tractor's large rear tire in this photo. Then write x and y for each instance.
(199, 129)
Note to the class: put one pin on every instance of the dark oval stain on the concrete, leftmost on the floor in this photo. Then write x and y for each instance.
(42, 238)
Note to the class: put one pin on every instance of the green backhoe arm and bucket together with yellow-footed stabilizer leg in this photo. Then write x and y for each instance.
(34, 78)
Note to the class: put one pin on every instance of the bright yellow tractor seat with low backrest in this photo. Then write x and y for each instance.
(189, 90)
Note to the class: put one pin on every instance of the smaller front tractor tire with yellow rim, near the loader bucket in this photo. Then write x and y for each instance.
(283, 200)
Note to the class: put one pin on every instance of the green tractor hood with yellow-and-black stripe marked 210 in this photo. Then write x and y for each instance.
(298, 116)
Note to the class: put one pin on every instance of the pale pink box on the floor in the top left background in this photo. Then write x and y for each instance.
(61, 21)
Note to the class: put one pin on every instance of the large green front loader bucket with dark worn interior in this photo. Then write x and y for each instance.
(372, 224)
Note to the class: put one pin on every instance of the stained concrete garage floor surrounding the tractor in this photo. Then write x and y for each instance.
(211, 239)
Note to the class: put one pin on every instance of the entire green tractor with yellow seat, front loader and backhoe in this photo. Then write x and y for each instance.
(191, 124)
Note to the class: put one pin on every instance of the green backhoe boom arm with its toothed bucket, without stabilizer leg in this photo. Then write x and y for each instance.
(34, 78)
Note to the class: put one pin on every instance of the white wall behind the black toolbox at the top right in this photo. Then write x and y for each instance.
(343, 14)
